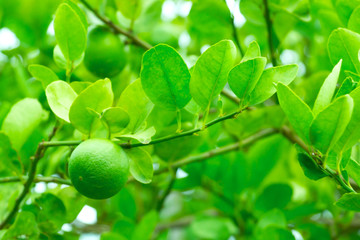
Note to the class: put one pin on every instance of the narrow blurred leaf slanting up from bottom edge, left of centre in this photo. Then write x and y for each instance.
(146, 227)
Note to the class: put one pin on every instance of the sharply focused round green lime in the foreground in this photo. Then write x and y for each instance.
(98, 168)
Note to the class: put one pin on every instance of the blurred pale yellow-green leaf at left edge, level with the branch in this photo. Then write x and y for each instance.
(23, 118)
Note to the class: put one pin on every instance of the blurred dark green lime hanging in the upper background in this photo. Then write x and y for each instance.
(104, 55)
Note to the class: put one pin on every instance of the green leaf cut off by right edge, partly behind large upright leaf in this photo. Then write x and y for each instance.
(351, 134)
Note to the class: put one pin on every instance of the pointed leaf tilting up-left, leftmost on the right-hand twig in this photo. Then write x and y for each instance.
(298, 113)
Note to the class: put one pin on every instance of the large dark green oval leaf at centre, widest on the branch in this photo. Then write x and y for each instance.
(165, 77)
